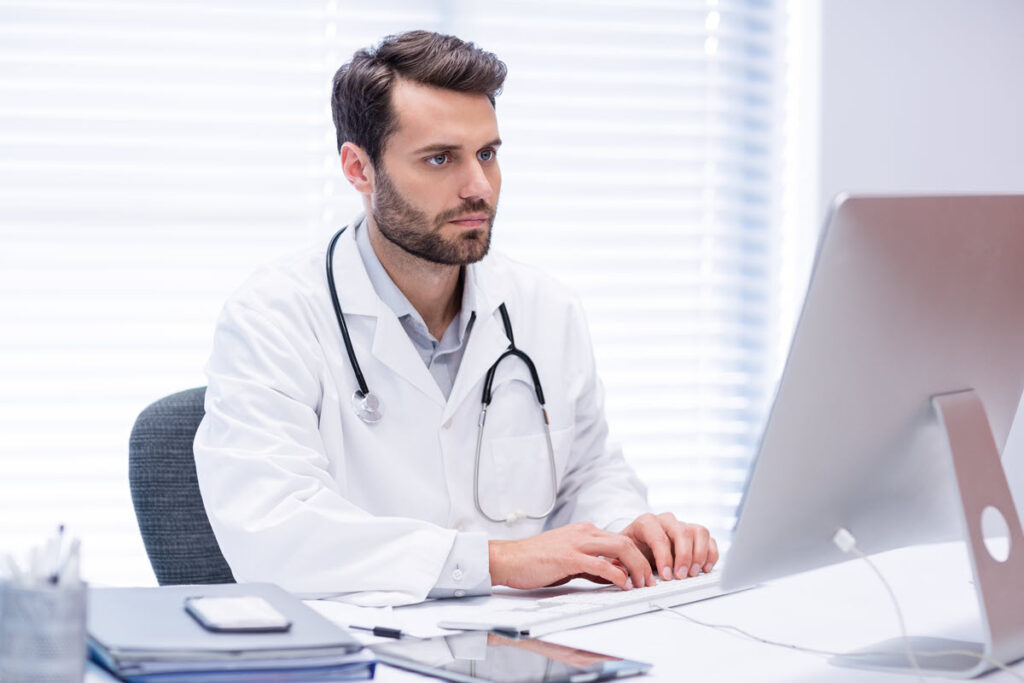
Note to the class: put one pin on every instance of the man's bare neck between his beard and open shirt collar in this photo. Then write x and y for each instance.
(434, 289)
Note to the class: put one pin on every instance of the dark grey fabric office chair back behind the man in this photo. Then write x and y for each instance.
(165, 492)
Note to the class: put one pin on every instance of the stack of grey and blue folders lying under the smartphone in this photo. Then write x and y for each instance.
(146, 635)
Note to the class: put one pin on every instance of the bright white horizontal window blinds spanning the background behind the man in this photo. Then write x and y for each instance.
(152, 155)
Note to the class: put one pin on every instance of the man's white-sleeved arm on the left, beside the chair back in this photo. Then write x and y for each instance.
(279, 513)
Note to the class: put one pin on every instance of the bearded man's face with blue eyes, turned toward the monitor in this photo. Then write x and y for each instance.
(437, 185)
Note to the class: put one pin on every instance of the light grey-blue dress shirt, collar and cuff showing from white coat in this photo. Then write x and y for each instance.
(443, 360)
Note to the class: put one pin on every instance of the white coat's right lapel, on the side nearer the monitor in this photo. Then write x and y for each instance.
(487, 341)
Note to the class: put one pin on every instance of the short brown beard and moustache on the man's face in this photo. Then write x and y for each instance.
(415, 233)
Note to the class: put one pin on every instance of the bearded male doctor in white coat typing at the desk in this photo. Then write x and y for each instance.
(408, 494)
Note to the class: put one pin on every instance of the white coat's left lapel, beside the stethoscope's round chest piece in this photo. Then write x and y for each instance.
(392, 345)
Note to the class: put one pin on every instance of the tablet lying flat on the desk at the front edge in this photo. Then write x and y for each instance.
(488, 658)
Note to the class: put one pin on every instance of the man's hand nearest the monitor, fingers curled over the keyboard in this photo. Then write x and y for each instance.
(677, 549)
